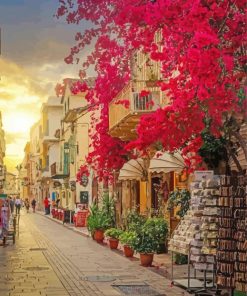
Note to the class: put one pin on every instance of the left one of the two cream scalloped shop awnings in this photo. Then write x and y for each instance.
(134, 169)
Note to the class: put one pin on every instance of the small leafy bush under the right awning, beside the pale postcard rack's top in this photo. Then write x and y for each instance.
(179, 198)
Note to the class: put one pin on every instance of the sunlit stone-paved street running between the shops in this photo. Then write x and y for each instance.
(49, 259)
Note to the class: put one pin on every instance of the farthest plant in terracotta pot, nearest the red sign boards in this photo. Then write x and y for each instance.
(97, 223)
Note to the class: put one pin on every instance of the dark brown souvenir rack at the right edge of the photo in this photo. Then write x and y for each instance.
(232, 239)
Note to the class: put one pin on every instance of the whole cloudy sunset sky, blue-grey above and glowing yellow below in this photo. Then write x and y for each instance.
(34, 44)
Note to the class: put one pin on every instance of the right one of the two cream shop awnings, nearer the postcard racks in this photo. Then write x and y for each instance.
(164, 162)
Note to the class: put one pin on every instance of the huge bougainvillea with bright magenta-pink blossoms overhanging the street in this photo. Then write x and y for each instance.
(202, 55)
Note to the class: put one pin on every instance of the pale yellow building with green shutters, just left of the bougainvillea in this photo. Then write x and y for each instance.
(74, 143)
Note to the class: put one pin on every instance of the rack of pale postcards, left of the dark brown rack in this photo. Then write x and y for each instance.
(196, 235)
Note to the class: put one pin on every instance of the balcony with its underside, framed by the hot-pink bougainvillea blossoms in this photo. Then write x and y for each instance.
(123, 119)
